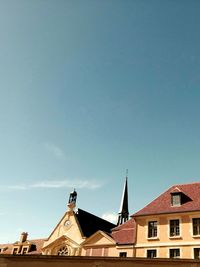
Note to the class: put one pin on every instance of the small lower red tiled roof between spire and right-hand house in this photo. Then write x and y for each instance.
(125, 233)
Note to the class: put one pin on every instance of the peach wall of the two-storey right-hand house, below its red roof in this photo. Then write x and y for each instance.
(186, 242)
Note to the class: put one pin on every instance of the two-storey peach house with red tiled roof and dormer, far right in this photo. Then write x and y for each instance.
(169, 227)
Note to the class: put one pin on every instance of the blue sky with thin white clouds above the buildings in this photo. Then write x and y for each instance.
(88, 89)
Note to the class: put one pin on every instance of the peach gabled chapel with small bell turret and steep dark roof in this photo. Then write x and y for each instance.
(73, 230)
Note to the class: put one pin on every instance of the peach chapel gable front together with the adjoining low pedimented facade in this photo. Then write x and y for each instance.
(67, 239)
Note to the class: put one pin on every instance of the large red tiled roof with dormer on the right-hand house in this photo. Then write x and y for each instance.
(162, 204)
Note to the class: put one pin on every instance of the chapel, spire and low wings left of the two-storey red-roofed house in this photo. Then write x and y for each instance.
(80, 233)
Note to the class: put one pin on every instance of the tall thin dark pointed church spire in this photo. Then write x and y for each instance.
(123, 212)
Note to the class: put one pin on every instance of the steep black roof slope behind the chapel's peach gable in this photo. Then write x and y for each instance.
(90, 223)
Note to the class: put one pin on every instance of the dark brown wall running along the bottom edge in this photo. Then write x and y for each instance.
(55, 261)
